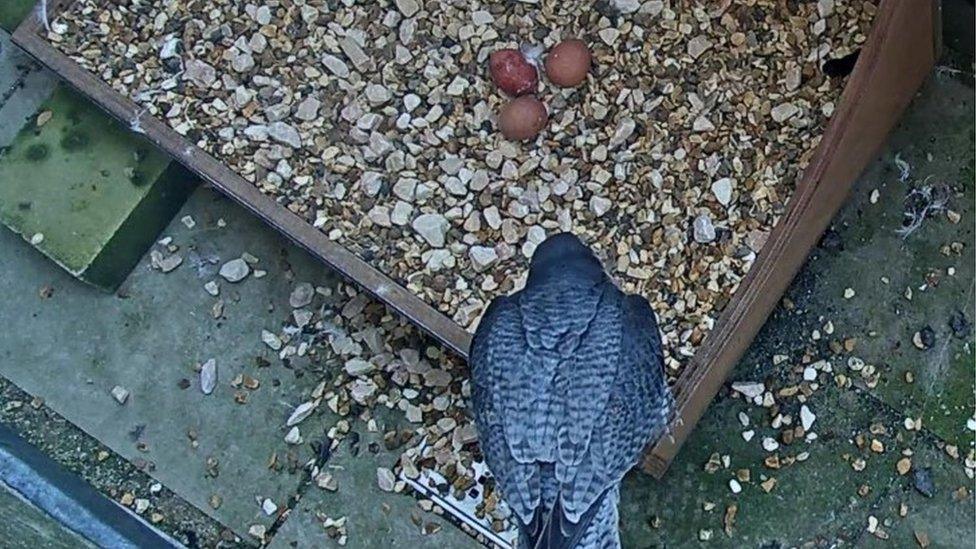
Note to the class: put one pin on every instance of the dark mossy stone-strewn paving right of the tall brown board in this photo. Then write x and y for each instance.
(819, 500)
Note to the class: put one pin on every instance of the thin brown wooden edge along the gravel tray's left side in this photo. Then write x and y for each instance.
(300, 231)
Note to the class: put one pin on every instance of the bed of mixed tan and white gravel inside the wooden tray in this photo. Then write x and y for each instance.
(375, 121)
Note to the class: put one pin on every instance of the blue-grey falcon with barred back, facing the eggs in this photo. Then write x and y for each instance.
(568, 388)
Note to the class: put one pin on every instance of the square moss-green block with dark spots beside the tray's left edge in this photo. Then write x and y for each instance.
(90, 187)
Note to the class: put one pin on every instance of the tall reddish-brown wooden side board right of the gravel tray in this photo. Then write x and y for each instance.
(820, 192)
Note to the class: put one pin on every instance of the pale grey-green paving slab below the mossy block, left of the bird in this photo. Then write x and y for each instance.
(74, 347)
